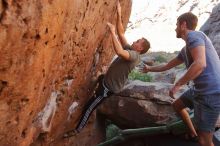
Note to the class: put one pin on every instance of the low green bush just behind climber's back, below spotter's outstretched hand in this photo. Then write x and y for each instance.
(136, 75)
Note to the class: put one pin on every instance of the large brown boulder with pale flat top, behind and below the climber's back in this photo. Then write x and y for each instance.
(140, 104)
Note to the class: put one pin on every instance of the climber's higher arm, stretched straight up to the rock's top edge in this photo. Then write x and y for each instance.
(120, 28)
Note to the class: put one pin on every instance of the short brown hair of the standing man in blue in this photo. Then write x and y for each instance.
(190, 19)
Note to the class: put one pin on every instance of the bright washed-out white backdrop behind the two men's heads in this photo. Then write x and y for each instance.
(159, 21)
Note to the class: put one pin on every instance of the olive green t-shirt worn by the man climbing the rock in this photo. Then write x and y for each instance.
(118, 71)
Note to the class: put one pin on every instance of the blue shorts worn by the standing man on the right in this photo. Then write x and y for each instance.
(206, 109)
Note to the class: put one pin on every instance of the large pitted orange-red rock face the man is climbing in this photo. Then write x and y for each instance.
(49, 52)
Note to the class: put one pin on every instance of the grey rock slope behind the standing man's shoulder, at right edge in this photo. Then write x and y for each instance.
(212, 27)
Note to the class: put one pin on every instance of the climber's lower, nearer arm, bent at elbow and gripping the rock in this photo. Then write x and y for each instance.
(117, 45)
